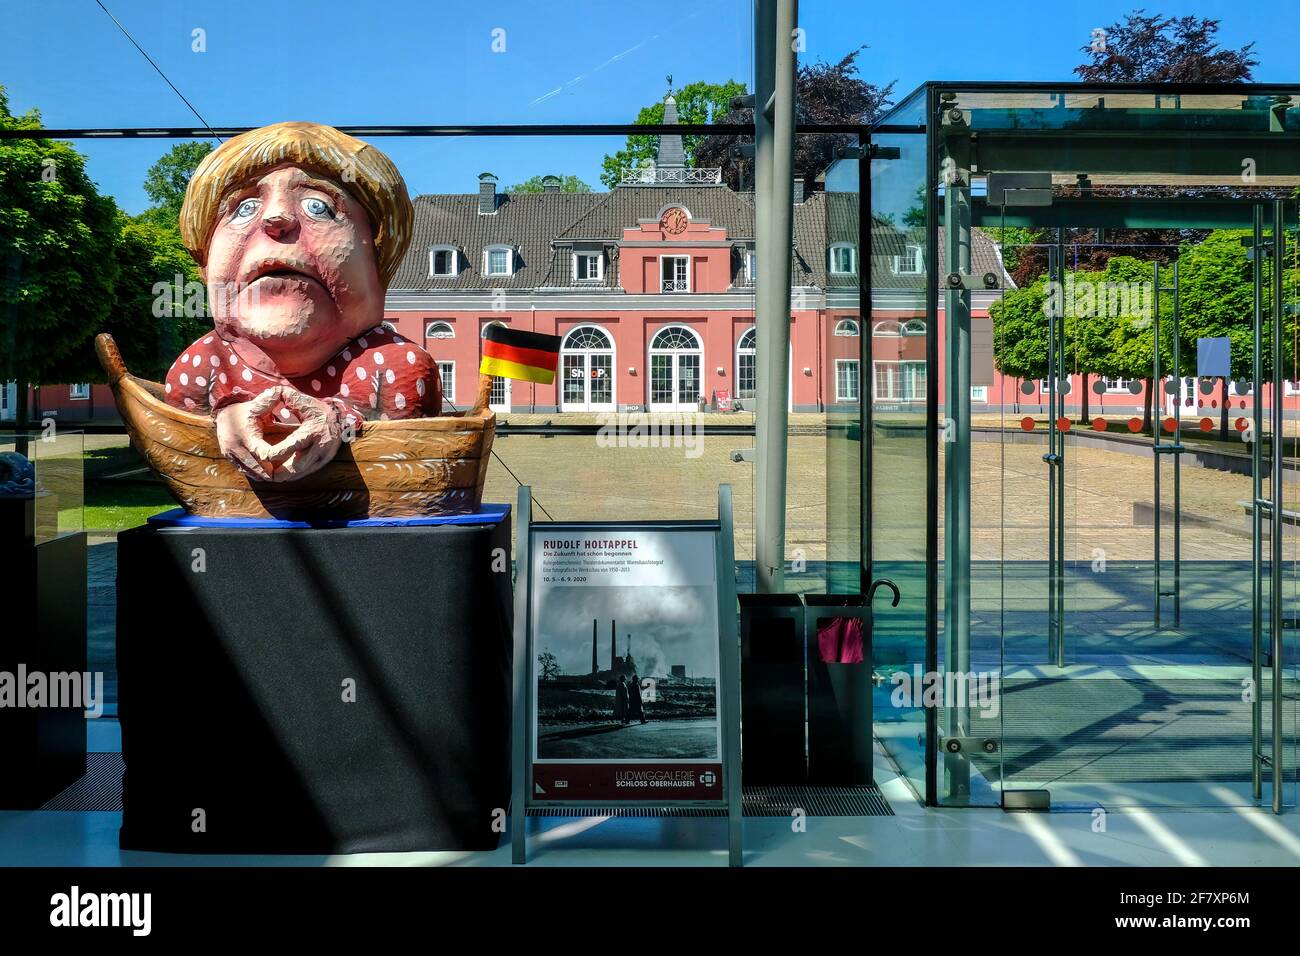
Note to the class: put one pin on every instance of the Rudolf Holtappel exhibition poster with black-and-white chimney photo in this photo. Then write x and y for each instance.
(625, 665)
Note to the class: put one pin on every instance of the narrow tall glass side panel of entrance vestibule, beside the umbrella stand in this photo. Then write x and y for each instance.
(899, 340)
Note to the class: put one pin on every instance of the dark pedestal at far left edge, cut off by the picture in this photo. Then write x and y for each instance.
(42, 631)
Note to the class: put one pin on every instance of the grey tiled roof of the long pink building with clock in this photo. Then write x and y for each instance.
(544, 228)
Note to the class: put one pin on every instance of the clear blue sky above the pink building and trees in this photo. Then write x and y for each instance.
(432, 62)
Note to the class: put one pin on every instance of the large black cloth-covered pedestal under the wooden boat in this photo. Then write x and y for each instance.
(314, 691)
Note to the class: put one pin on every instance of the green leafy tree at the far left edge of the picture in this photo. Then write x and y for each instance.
(58, 240)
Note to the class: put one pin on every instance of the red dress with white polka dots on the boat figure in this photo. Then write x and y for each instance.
(376, 377)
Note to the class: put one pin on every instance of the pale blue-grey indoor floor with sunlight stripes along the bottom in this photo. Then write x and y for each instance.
(915, 837)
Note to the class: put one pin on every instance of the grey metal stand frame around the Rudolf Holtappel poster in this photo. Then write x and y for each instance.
(729, 680)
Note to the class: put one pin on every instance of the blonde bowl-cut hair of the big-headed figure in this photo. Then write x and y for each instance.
(365, 172)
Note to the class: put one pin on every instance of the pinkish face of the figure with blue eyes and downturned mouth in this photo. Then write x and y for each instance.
(292, 269)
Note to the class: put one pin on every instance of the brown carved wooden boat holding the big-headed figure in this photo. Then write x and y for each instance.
(411, 468)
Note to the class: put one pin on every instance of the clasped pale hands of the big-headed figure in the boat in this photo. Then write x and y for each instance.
(309, 448)
